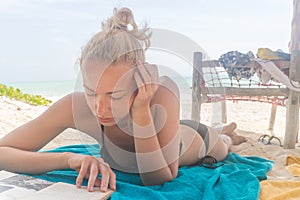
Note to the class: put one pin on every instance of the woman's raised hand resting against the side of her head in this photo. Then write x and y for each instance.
(147, 80)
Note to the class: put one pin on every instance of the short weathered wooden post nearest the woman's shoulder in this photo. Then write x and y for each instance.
(196, 92)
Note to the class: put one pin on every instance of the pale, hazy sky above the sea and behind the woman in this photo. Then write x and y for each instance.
(42, 39)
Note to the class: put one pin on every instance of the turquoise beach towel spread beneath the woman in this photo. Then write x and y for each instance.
(237, 178)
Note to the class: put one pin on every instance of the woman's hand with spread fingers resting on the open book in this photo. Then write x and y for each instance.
(89, 167)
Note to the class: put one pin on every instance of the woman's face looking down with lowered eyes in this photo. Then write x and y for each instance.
(110, 91)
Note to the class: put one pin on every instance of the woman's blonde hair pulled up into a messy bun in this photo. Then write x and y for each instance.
(116, 42)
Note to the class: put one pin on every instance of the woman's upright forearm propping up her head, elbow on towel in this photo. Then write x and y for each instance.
(148, 150)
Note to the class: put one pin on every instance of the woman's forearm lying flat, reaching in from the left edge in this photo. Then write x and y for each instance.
(16, 160)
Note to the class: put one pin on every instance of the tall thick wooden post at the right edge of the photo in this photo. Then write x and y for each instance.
(292, 116)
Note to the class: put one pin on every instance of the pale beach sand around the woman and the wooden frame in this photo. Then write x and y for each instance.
(252, 119)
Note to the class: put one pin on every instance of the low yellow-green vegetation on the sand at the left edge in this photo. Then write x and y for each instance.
(16, 94)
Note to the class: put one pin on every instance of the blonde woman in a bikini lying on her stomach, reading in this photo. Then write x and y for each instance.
(131, 111)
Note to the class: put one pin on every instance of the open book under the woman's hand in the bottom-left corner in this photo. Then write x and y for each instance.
(15, 186)
